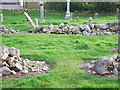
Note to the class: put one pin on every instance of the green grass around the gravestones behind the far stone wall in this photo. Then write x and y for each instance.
(17, 20)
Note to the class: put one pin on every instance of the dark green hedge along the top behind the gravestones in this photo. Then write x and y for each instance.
(76, 6)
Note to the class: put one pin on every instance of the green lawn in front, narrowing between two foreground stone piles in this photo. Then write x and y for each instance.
(63, 53)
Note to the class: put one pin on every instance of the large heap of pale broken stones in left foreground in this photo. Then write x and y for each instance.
(11, 63)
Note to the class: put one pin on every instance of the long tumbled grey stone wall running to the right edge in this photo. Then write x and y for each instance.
(110, 28)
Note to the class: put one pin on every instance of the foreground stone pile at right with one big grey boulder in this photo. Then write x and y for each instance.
(104, 66)
